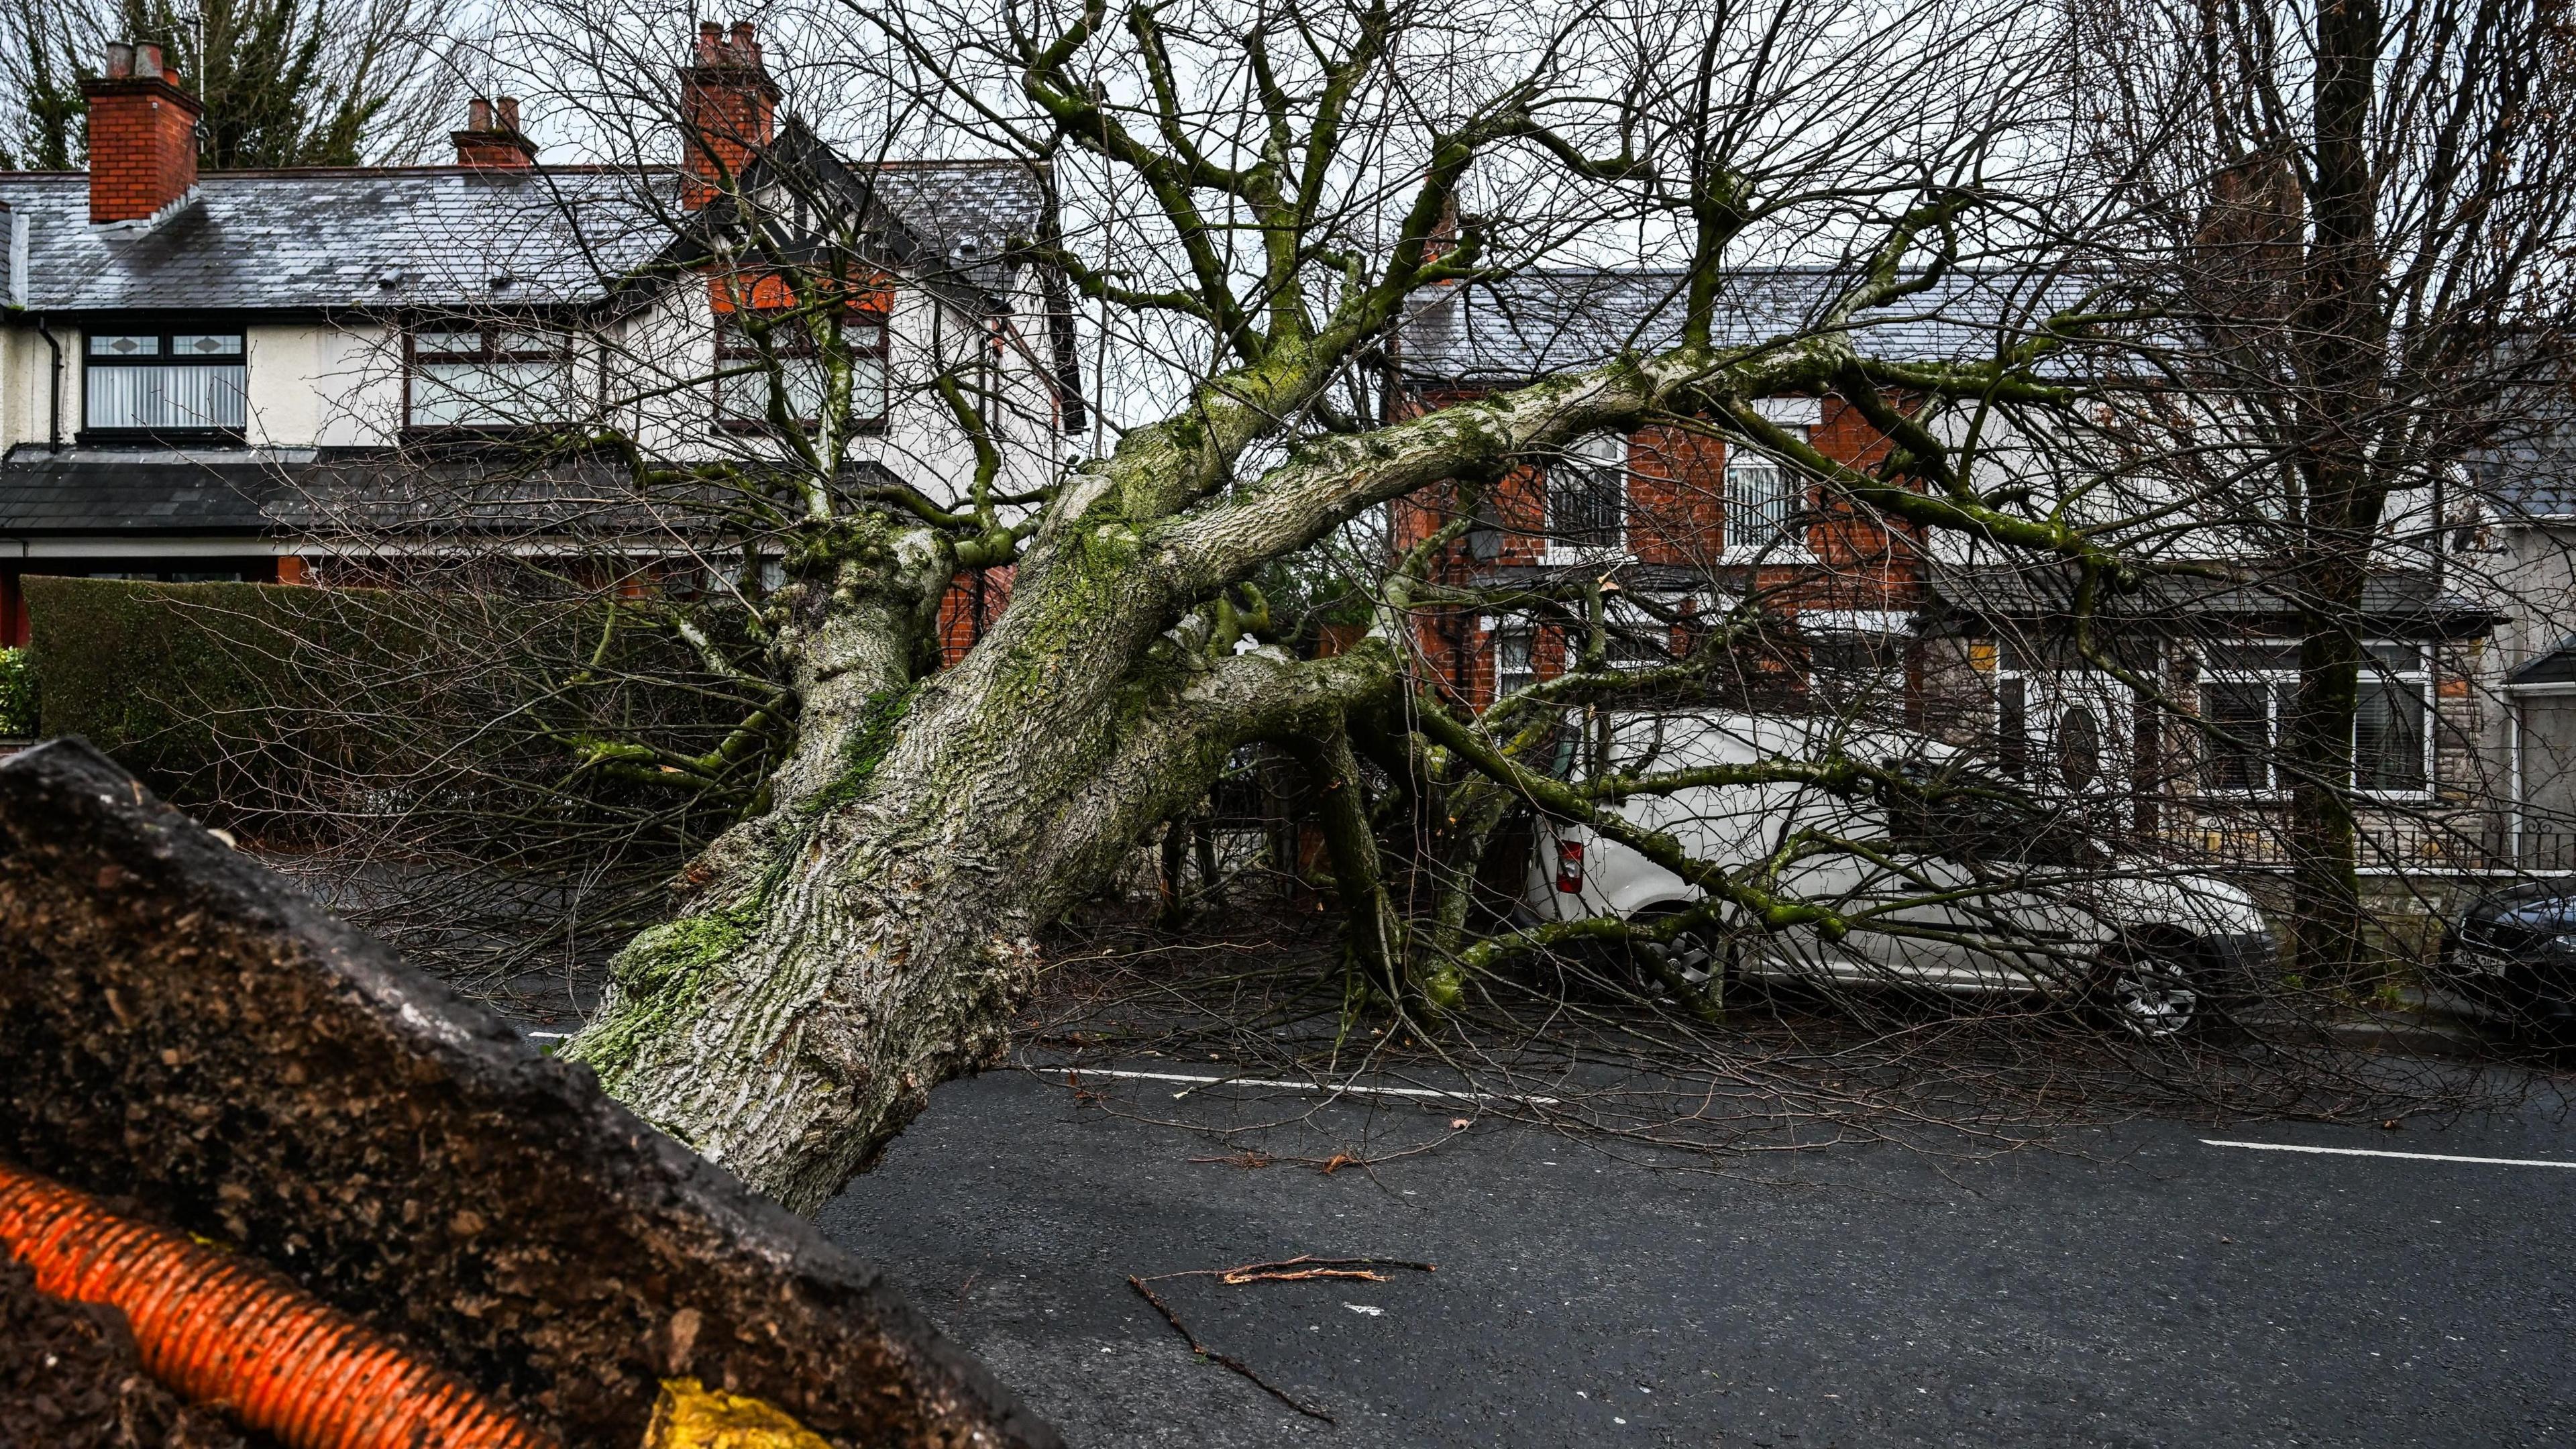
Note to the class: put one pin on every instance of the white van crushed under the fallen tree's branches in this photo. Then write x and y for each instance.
(1967, 899)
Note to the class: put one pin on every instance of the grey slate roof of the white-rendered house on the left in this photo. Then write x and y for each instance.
(372, 238)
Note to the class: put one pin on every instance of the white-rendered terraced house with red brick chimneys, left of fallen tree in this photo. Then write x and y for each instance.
(269, 375)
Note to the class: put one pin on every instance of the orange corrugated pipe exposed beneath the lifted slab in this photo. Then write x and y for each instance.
(223, 1332)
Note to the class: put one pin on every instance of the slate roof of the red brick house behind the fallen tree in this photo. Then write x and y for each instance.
(1549, 321)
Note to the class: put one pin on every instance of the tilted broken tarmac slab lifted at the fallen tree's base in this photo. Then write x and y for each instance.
(187, 1033)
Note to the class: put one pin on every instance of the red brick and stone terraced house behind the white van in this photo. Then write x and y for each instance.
(1877, 620)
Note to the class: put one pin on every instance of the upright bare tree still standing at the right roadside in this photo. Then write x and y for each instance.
(2351, 223)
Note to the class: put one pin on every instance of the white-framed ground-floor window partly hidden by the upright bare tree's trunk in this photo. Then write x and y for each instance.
(2248, 692)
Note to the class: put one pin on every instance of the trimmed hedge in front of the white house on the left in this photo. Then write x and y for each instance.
(323, 703)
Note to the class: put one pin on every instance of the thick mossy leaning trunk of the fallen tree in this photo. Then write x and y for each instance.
(869, 935)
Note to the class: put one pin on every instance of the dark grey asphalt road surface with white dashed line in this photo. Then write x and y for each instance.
(2132, 1288)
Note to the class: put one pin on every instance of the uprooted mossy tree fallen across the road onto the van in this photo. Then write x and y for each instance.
(859, 935)
